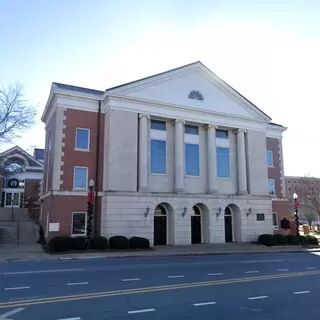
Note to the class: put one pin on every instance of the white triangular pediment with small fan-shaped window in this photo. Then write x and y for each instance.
(193, 86)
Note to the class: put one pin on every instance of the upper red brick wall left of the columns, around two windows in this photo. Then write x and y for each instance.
(71, 158)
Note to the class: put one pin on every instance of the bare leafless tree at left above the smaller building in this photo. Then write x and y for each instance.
(16, 113)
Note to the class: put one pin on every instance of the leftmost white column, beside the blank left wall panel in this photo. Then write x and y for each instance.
(143, 152)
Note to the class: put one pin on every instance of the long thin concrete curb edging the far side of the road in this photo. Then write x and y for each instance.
(187, 254)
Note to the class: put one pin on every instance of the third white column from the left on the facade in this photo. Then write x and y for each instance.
(212, 158)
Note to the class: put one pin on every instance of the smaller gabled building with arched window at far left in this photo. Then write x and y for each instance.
(21, 178)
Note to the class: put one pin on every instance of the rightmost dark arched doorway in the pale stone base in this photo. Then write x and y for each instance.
(232, 223)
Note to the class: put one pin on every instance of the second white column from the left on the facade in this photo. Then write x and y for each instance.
(179, 155)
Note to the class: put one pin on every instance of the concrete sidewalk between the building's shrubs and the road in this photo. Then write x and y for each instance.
(23, 253)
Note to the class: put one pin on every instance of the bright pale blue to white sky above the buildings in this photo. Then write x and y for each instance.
(268, 50)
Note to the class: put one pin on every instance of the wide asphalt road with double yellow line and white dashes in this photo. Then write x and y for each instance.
(264, 287)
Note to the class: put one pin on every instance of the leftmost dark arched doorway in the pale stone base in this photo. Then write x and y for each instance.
(160, 226)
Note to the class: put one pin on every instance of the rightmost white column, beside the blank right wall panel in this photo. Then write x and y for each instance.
(241, 157)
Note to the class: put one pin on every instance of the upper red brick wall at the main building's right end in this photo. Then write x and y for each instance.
(275, 172)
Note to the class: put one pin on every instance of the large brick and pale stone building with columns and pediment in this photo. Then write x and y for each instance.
(178, 158)
